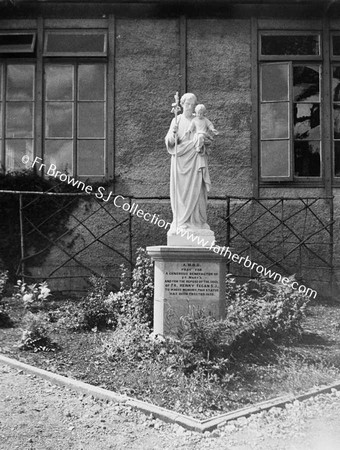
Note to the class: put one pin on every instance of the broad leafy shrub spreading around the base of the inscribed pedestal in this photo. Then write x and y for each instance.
(256, 314)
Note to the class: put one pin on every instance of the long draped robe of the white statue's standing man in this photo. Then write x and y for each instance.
(193, 181)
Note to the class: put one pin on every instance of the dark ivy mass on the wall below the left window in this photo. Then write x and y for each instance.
(51, 213)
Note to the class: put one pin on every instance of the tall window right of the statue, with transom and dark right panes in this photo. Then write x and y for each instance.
(290, 107)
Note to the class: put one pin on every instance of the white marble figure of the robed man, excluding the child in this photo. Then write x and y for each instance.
(189, 176)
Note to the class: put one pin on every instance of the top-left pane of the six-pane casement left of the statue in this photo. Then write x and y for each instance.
(59, 82)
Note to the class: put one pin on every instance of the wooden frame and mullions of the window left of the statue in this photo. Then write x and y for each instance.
(39, 27)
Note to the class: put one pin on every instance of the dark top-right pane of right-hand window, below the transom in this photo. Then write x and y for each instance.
(306, 83)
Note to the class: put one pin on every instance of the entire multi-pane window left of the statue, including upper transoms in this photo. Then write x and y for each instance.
(72, 97)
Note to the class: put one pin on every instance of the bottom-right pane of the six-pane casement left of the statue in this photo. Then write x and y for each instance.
(91, 158)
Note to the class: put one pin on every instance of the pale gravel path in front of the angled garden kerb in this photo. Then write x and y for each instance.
(35, 414)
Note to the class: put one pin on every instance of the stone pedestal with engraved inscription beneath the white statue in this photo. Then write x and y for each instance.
(186, 278)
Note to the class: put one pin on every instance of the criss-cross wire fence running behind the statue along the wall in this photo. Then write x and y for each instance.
(66, 237)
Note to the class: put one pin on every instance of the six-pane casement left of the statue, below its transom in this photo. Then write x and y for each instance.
(75, 118)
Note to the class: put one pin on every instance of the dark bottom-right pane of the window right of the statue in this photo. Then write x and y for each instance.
(307, 159)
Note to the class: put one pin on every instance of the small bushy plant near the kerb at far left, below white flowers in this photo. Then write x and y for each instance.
(35, 335)
